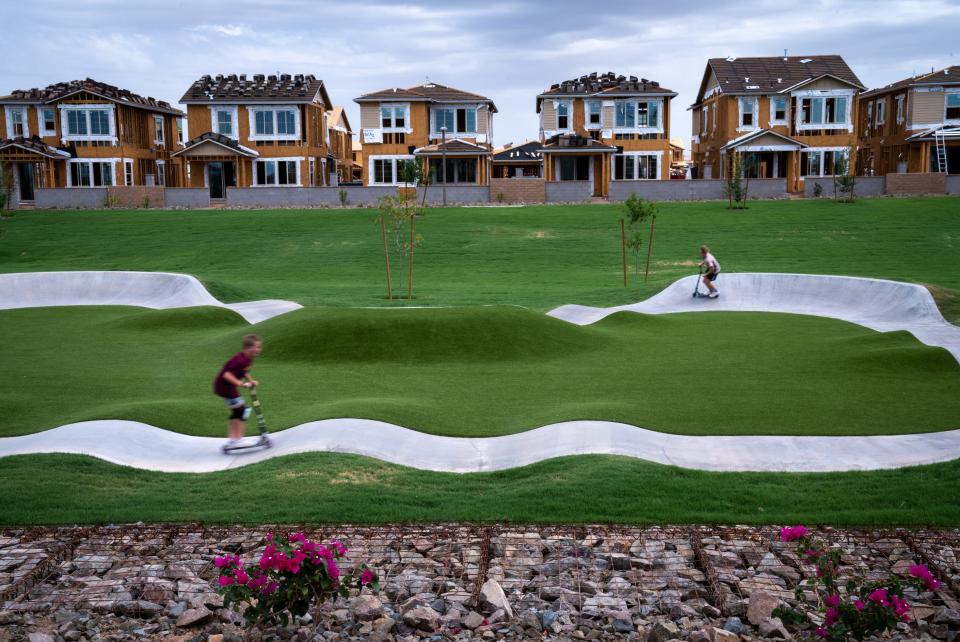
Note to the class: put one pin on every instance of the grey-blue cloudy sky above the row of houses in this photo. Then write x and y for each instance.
(509, 51)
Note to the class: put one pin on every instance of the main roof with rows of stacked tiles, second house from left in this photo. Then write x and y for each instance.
(259, 88)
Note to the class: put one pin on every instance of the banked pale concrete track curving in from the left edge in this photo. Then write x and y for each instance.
(158, 290)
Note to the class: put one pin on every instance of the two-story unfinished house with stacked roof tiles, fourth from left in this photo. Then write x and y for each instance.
(604, 127)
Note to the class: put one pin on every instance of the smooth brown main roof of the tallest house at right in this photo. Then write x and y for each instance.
(776, 73)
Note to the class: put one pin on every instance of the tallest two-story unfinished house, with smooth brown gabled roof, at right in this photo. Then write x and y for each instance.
(791, 116)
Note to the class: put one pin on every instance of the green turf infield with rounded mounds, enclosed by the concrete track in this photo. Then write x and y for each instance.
(478, 371)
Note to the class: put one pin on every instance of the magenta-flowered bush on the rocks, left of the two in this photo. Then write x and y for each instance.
(293, 576)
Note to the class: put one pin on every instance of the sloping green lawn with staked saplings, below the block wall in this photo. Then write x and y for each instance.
(539, 256)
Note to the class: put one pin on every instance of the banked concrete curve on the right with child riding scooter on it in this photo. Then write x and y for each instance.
(875, 303)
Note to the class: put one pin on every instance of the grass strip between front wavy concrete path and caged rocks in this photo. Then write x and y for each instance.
(342, 488)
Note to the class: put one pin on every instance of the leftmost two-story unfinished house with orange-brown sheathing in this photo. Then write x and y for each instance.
(86, 133)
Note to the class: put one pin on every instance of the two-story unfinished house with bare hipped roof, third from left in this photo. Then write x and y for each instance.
(430, 122)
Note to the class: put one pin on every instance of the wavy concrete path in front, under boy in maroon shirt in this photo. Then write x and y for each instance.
(143, 446)
